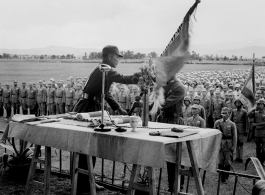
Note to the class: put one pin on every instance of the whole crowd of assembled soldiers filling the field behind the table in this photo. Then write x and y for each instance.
(212, 99)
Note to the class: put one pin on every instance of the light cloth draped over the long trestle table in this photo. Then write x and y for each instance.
(138, 148)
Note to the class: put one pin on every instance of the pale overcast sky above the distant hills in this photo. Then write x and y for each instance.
(126, 23)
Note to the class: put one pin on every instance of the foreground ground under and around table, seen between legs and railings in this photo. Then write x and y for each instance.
(12, 185)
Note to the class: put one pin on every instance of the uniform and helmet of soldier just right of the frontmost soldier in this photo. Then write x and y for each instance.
(239, 117)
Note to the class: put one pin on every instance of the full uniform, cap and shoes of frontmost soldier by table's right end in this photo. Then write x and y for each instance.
(228, 144)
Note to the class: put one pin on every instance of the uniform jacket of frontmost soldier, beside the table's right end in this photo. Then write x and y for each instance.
(229, 132)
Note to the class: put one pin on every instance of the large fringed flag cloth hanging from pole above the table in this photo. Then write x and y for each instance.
(171, 60)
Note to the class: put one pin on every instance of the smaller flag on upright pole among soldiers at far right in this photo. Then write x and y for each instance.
(248, 90)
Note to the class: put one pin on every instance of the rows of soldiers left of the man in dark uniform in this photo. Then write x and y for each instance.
(54, 98)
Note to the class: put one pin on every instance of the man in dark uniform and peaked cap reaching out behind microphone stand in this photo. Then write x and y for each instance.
(91, 101)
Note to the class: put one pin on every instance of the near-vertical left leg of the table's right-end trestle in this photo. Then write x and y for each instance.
(177, 168)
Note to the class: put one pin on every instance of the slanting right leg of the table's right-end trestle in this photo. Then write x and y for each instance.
(195, 169)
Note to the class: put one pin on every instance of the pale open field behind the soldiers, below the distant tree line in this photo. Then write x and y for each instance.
(34, 71)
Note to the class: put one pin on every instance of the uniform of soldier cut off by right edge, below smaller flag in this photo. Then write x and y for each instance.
(258, 117)
